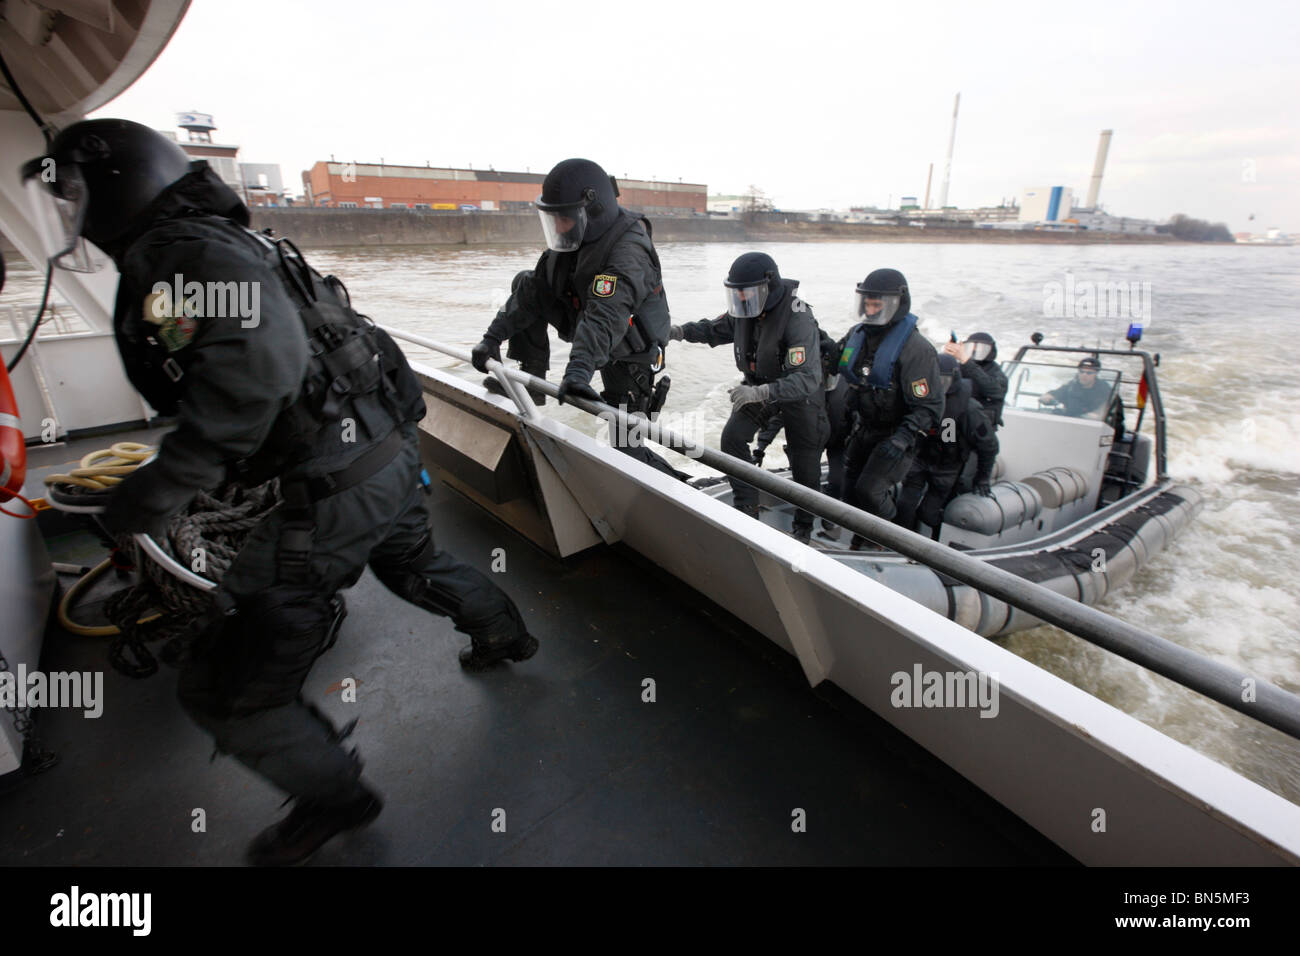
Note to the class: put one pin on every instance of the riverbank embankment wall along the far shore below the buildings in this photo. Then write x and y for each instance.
(350, 228)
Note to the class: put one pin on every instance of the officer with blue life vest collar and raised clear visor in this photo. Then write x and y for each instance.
(894, 374)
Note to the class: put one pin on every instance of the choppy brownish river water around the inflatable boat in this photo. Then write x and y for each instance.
(1223, 319)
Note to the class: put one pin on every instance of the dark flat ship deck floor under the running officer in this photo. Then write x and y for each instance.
(588, 773)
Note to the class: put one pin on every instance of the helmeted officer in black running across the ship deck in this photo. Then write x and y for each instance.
(302, 390)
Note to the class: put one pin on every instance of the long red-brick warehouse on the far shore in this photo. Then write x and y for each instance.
(367, 185)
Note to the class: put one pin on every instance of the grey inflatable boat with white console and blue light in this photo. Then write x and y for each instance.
(1081, 501)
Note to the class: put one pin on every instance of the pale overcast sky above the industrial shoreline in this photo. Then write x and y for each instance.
(820, 105)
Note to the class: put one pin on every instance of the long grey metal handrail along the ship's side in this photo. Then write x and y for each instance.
(1229, 686)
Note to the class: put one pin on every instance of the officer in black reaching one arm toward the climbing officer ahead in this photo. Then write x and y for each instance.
(777, 344)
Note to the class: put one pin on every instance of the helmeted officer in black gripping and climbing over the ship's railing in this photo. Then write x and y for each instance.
(601, 287)
